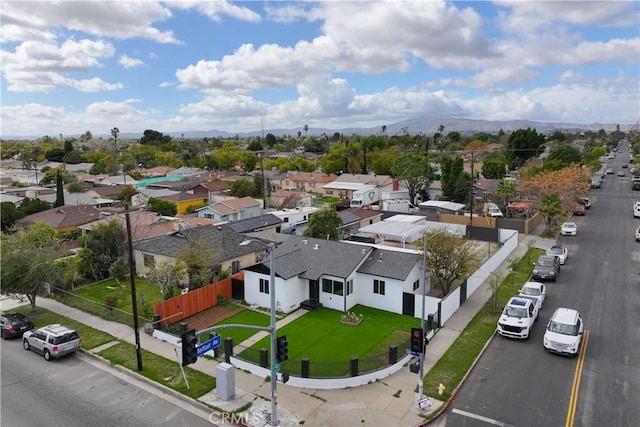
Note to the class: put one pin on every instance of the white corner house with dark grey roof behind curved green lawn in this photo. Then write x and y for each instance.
(312, 272)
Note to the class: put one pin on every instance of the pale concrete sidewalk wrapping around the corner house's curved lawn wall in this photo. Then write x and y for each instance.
(389, 402)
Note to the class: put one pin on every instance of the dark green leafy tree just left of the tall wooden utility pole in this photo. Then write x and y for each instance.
(100, 248)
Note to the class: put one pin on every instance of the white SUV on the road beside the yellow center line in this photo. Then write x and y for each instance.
(564, 332)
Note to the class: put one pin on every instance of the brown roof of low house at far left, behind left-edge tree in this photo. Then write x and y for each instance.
(65, 218)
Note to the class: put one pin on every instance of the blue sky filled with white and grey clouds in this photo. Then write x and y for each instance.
(179, 66)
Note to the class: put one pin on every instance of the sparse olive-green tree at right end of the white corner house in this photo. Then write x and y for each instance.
(450, 259)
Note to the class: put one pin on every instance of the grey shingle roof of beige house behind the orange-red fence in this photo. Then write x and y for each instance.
(223, 241)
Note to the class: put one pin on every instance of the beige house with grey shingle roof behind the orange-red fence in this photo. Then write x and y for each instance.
(226, 251)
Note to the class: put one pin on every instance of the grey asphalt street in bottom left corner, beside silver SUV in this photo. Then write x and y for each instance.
(76, 391)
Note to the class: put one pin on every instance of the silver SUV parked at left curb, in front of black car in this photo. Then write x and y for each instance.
(52, 341)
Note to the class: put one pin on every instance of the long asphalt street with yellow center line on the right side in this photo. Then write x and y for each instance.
(517, 383)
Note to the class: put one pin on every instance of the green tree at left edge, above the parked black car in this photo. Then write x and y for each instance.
(28, 261)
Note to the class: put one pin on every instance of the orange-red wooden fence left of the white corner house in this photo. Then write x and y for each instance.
(182, 306)
